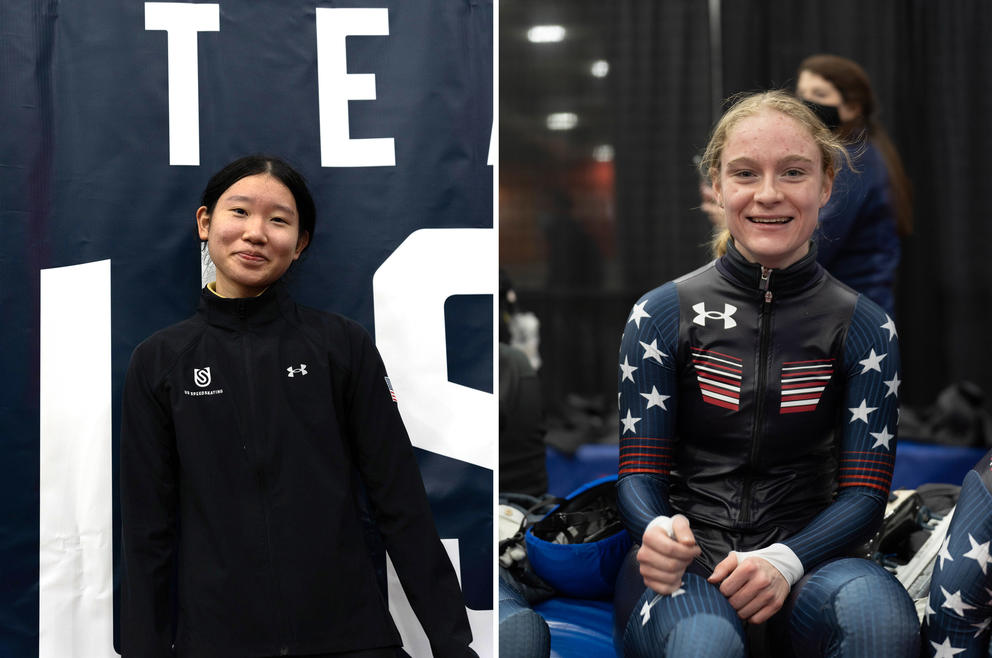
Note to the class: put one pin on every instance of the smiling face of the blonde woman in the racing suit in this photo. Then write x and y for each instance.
(772, 185)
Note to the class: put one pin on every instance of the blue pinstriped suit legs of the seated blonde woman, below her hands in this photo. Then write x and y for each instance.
(850, 608)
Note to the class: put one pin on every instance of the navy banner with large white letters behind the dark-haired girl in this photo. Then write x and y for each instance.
(113, 115)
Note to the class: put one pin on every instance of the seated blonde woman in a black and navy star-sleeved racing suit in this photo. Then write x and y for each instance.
(757, 424)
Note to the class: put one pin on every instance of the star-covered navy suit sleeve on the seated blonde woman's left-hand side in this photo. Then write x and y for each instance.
(647, 402)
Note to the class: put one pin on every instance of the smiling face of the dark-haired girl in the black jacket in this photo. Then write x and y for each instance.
(253, 235)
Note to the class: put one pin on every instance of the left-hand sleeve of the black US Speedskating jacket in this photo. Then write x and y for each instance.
(149, 496)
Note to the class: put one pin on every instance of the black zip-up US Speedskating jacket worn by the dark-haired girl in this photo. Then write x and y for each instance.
(243, 430)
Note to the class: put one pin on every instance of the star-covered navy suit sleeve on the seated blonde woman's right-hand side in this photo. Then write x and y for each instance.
(868, 440)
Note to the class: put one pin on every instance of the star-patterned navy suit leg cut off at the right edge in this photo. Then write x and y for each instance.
(959, 610)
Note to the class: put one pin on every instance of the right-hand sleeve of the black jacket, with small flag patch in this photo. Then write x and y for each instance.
(396, 490)
